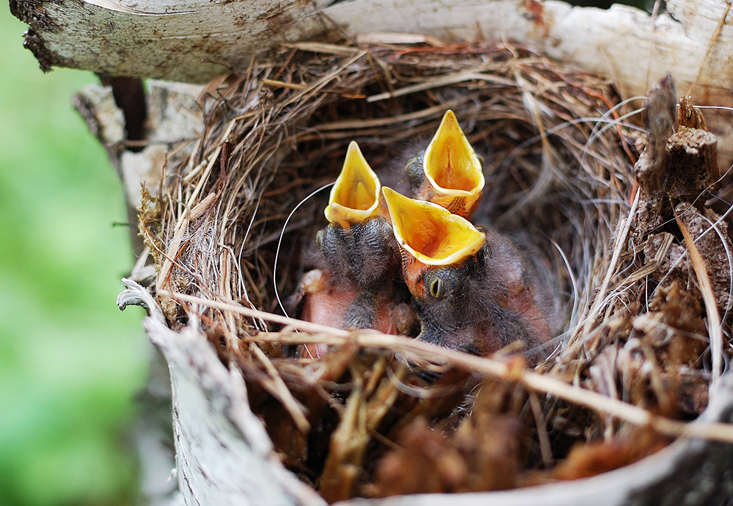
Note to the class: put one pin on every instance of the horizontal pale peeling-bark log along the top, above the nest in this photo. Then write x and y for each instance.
(193, 40)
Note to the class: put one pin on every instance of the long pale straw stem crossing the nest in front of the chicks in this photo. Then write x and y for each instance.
(505, 370)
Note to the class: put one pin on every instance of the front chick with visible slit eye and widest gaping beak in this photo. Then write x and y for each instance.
(471, 287)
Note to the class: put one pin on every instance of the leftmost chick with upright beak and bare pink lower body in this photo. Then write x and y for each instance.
(358, 258)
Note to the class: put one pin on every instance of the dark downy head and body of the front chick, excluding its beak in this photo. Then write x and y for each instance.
(482, 303)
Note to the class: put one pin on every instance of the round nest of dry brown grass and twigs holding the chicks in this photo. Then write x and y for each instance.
(638, 274)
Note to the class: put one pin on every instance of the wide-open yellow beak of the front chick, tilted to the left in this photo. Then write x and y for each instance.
(430, 233)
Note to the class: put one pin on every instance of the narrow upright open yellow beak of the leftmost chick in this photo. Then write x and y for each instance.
(355, 195)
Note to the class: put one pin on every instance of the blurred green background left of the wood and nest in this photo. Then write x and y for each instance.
(70, 361)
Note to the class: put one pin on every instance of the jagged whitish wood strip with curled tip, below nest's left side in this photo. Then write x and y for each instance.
(224, 455)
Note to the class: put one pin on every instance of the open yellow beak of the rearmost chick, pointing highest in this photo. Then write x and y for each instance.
(453, 169)
